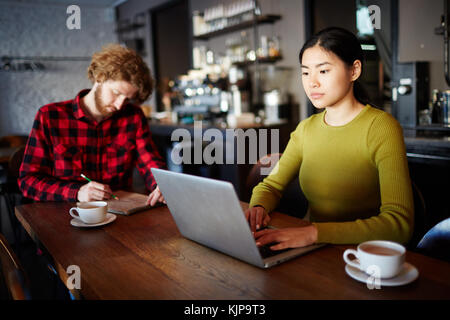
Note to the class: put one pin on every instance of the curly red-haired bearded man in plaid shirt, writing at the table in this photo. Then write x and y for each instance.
(100, 133)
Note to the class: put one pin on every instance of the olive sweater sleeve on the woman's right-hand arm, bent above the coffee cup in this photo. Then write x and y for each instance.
(395, 221)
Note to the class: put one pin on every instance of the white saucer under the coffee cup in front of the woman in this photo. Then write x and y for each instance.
(408, 274)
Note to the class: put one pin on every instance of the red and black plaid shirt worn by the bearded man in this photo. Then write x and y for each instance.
(64, 143)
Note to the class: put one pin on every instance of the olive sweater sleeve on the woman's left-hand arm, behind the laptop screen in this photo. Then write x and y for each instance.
(268, 192)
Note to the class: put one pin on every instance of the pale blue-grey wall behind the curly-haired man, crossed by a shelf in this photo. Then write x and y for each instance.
(39, 29)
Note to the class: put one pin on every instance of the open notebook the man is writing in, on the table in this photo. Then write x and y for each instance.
(128, 203)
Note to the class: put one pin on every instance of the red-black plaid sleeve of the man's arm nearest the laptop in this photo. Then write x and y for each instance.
(148, 155)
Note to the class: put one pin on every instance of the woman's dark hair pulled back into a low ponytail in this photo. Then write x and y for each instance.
(343, 44)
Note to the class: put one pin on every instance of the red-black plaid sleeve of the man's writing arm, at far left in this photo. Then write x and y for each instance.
(35, 177)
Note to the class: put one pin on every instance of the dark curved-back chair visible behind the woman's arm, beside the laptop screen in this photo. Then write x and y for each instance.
(293, 202)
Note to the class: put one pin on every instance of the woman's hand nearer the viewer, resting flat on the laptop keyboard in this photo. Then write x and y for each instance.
(287, 237)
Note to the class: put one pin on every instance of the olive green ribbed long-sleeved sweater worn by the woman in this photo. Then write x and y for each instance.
(354, 176)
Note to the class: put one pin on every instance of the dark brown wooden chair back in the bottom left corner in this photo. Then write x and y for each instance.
(13, 278)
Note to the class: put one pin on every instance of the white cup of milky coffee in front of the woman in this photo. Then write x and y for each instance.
(386, 258)
